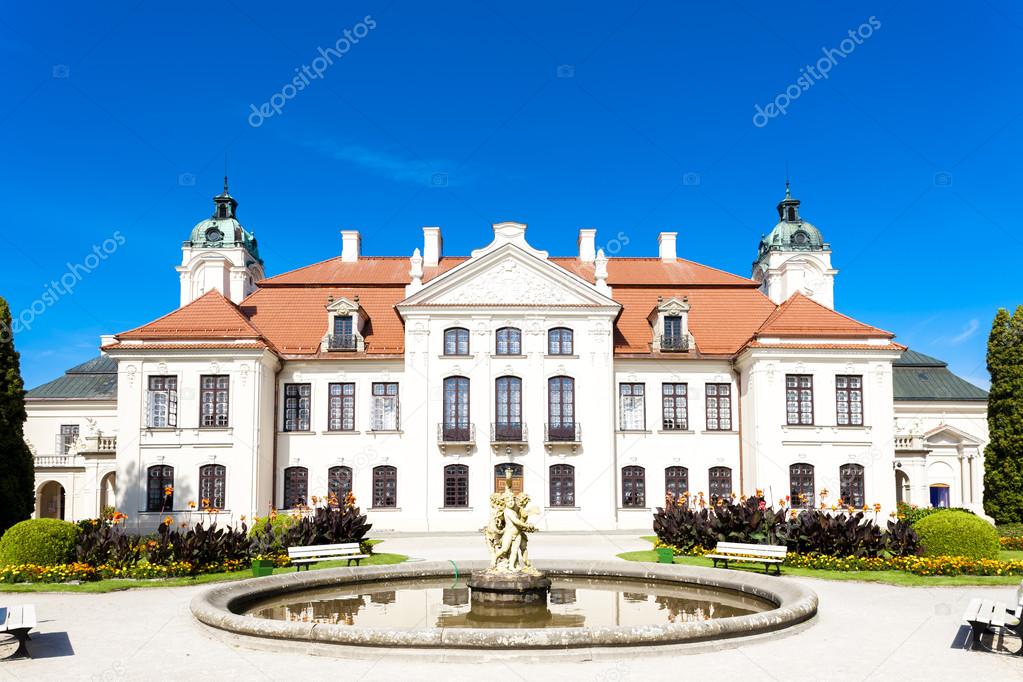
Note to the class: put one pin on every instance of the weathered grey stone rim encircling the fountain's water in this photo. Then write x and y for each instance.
(220, 608)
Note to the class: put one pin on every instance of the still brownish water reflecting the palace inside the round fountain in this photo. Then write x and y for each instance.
(573, 604)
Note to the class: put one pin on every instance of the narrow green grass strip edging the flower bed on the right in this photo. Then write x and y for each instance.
(887, 577)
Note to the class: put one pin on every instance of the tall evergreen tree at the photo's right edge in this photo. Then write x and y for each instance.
(1004, 456)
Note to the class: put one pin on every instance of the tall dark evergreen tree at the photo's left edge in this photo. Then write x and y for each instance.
(17, 473)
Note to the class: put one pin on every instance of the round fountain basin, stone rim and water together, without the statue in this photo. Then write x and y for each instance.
(426, 607)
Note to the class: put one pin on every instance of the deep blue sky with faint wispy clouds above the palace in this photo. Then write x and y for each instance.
(632, 118)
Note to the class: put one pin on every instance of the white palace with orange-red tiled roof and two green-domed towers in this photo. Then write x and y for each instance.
(418, 383)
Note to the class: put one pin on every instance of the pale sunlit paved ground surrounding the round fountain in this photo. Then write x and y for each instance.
(864, 631)
